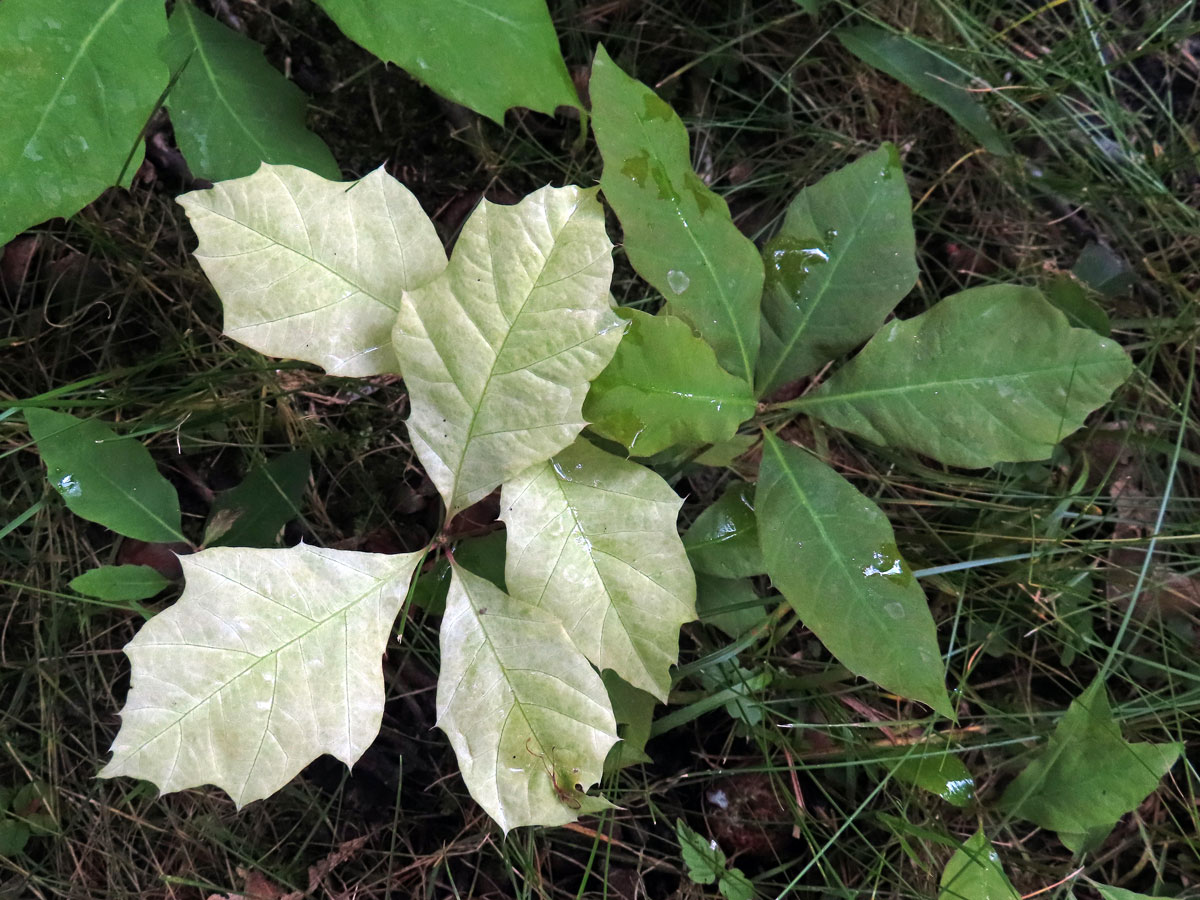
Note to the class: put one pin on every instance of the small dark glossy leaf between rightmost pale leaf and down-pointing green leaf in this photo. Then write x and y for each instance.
(724, 539)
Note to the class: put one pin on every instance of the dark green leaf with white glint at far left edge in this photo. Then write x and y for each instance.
(106, 478)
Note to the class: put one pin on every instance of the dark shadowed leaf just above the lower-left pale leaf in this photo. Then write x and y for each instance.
(255, 513)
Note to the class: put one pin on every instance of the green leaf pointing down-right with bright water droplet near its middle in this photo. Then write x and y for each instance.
(832, 554)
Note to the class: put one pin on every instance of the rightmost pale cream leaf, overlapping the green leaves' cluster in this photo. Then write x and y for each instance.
(593, 539)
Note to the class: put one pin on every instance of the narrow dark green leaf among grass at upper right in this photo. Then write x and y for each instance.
(929, 76)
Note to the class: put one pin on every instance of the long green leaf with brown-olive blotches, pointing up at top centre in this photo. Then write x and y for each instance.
(679, 235)
